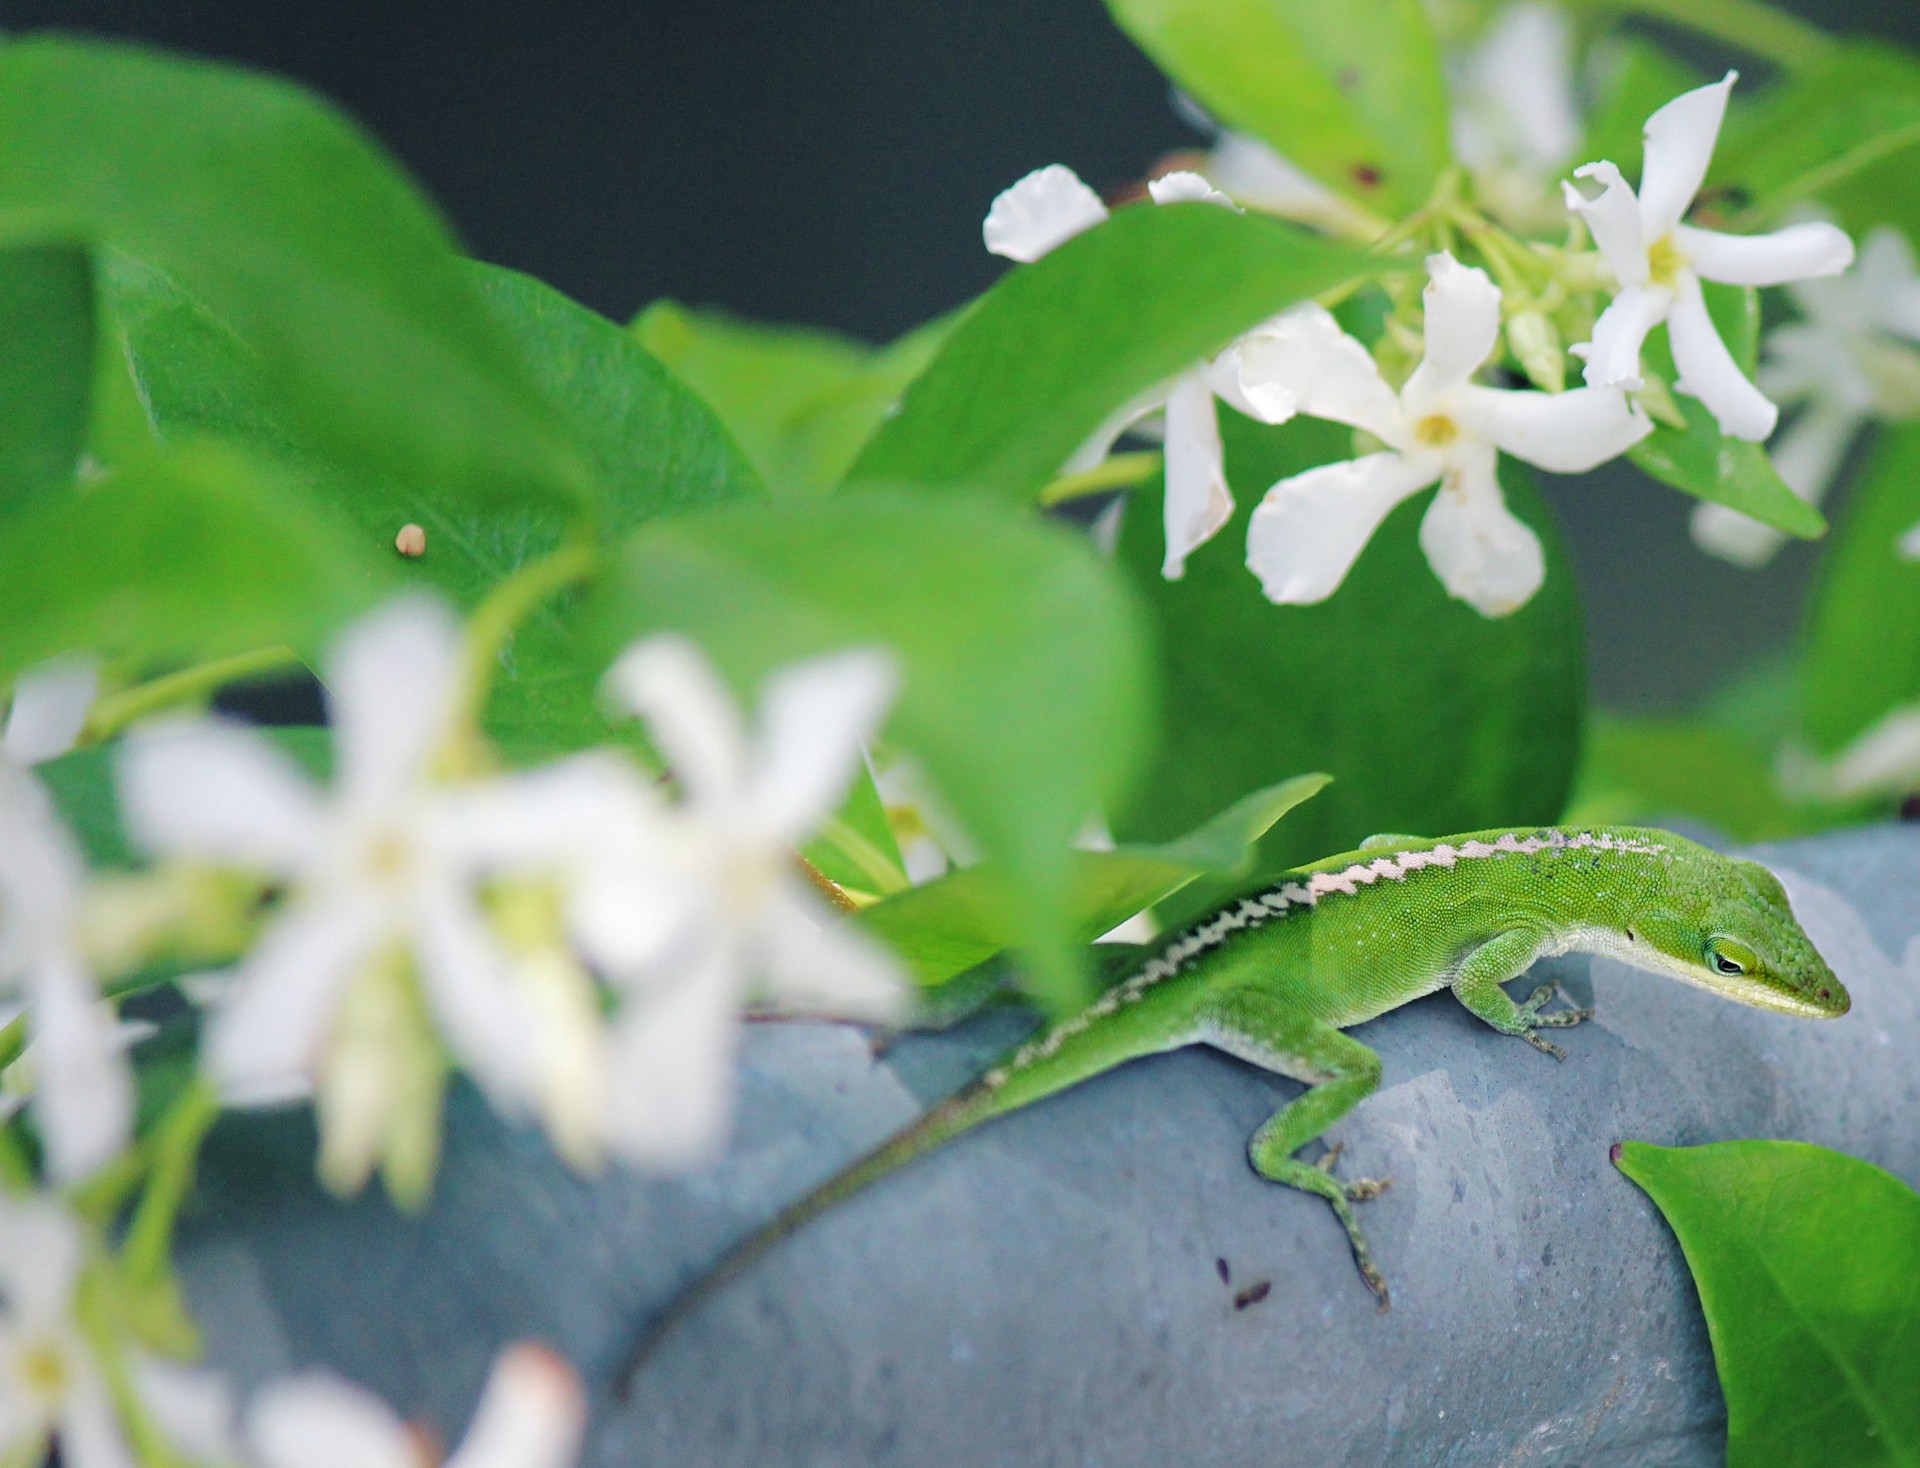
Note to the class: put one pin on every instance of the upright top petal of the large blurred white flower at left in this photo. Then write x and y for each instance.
(393, 686)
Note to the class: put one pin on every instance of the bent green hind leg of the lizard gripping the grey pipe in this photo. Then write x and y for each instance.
(1341, 1074)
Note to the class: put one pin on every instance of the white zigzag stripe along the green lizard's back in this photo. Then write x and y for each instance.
(1262, 909)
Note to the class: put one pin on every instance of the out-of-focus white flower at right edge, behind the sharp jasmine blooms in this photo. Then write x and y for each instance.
(1848, 360)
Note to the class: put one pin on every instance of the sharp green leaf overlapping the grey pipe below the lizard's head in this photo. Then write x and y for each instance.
(1806, 1267)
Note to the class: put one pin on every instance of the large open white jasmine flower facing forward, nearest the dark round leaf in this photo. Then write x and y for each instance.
(1310, 529)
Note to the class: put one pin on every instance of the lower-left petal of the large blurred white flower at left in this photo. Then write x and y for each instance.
(281, 1010)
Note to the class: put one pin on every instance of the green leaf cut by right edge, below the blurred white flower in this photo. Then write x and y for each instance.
(1863, 648)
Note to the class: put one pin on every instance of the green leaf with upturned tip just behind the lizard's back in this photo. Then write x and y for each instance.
(957, 922)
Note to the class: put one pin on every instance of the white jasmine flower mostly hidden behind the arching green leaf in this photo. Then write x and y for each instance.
(1051, 206)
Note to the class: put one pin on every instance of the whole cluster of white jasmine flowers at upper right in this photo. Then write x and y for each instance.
(1439, 425)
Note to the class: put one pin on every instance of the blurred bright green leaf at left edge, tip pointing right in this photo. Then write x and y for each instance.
(193, 554)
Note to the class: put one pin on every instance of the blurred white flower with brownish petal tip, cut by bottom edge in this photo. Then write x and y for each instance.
(531, 1415)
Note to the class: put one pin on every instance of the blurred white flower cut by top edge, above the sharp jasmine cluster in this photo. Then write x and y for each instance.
(1516, 120)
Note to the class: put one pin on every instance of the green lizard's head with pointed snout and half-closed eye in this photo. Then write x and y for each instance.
(1737, 934)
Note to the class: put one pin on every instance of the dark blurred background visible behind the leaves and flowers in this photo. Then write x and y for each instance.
(828, 162)
